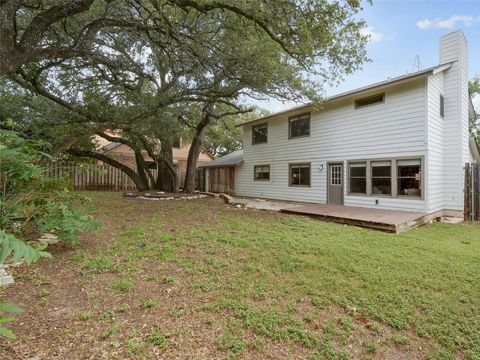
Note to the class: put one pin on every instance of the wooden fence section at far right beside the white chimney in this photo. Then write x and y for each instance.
(472, 192)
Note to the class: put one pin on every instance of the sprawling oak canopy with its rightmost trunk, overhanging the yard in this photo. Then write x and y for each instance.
(123, 63)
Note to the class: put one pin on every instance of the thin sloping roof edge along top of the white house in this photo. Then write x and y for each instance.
(391, 81)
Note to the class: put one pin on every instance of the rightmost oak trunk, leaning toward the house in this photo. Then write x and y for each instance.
(194, 153)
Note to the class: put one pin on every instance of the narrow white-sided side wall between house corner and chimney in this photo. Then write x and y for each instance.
(435, 134)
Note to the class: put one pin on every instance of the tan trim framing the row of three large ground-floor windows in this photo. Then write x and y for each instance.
(394, 180)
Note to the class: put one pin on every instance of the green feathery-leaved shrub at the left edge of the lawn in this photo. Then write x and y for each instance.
(30, 203)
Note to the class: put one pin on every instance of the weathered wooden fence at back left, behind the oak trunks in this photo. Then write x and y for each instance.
(92, 177)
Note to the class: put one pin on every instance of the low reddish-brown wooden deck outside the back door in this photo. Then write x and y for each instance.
(385, 220)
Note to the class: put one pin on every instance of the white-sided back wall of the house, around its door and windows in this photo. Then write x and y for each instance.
(338, 132)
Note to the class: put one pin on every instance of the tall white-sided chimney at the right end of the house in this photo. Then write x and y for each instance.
(453, 47)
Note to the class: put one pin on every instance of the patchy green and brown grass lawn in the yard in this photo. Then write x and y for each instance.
(199, 279)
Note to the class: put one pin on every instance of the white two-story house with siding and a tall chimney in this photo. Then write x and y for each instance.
(400, 144)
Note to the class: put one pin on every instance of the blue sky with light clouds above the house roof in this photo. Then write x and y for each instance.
(402, 29)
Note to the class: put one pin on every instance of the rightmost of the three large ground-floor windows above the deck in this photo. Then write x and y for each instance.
(409, 177)
